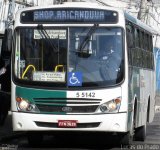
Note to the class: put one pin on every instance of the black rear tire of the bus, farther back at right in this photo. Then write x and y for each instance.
(140, 133)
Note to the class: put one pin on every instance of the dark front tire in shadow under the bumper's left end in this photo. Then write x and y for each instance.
(35, 139)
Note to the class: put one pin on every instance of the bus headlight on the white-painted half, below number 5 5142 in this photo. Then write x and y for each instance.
(111, 106)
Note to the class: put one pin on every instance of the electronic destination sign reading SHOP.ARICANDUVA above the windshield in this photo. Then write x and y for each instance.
(69, 16)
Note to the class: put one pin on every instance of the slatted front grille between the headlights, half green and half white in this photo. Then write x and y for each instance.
(61, 105)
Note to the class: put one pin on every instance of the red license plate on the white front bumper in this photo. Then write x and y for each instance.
(67, 123)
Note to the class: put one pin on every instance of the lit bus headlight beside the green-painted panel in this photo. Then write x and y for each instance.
(25, 105)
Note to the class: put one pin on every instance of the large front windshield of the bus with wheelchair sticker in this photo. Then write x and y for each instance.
(54, 56)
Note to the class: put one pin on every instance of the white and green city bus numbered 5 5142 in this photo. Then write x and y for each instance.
(82, 67)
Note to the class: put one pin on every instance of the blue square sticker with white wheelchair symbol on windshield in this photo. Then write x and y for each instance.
(74, 79)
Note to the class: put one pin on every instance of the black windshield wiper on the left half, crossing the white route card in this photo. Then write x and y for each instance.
(44, 34)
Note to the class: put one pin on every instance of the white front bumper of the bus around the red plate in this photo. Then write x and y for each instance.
(49, 122)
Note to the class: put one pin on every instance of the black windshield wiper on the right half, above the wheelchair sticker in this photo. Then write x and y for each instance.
(88, 36)
